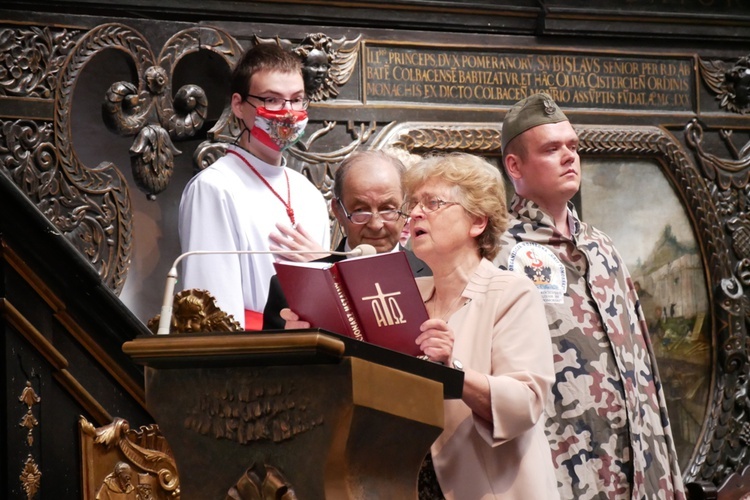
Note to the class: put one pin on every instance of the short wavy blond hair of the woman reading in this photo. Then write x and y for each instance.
(475, 183)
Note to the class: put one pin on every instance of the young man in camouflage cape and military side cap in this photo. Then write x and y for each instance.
(607, 421)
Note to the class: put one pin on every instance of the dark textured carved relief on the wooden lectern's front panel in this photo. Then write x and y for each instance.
(253, 412)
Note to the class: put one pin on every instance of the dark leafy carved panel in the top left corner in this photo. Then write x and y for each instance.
(31, 58)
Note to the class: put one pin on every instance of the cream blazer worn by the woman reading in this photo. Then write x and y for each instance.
(501, 331)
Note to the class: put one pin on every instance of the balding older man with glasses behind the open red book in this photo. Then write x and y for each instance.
(367, 200)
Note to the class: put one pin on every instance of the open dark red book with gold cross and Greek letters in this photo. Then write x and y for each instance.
(373, 298)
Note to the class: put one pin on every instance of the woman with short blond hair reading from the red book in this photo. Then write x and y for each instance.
(488, 322)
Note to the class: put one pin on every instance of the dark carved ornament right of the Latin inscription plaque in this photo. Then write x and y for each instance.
(730, 82)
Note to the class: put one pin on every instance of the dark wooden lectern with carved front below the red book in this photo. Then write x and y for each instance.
(306, 413)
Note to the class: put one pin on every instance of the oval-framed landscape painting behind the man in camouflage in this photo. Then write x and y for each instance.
(633, 202)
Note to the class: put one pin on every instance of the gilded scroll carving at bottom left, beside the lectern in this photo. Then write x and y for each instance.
(121, 461)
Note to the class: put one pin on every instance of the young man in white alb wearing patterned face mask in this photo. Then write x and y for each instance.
(249, 199)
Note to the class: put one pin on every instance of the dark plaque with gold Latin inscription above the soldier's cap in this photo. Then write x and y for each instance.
(428, 75)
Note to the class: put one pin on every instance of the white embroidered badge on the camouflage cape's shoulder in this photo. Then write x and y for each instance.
(541, 266)
